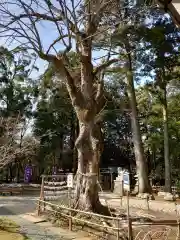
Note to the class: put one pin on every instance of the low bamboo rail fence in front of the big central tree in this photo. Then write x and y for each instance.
(116, 230)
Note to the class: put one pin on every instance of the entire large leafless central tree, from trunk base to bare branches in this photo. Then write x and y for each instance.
(77, 23)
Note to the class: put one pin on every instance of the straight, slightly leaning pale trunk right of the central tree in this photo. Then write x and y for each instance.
(141, 164)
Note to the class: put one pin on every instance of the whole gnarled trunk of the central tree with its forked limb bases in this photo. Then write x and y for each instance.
(87, 96)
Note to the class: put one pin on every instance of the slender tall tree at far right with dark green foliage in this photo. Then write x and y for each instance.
(162, 59)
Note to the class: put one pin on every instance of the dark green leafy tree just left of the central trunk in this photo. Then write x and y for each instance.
(53, 121)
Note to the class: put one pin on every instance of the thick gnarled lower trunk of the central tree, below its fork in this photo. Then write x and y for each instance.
(89, 149)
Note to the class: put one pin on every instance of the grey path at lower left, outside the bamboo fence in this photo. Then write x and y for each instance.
(15, 208)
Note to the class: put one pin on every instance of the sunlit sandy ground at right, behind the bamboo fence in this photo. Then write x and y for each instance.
(154, 220)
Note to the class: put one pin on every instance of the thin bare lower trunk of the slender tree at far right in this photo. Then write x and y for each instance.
(166, 146)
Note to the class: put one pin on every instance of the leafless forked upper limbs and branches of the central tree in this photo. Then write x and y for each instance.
(24, 23)
